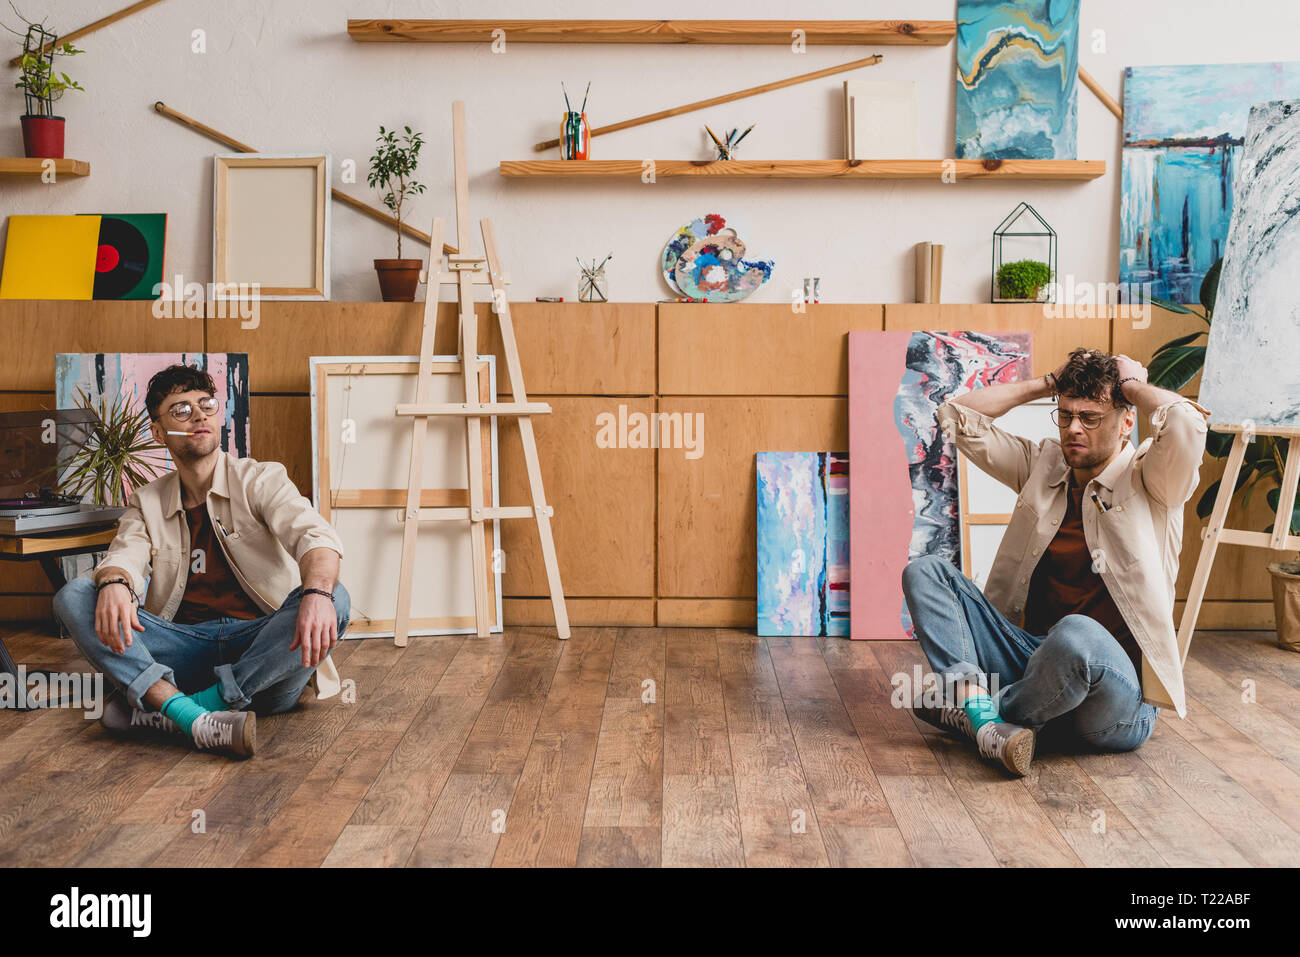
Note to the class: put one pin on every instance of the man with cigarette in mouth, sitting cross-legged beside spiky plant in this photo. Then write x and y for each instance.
(244, 603)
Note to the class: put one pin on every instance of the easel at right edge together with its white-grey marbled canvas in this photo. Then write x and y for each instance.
(1251, 383)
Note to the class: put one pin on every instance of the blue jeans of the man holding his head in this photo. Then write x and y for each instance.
(1074, 682)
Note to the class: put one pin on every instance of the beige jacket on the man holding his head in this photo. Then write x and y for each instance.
(1136, 543)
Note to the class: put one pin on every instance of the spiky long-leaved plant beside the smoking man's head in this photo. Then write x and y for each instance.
(118, 456)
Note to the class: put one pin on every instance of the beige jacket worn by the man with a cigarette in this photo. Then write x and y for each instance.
(265, 526)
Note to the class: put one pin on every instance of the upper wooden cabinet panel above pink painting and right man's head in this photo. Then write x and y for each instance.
(1054, 339)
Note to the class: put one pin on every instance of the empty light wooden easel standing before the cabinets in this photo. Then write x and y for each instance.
(466, 271)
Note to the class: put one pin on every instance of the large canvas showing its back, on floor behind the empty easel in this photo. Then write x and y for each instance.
(361, 462)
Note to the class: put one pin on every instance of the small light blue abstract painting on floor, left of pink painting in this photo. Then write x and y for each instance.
(803, 544)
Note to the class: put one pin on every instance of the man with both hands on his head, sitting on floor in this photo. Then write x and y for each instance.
(1076, 625)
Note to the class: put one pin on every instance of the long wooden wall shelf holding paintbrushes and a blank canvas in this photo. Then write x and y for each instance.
(813, 170)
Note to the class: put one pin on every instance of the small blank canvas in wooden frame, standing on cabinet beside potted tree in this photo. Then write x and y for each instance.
(271, 218)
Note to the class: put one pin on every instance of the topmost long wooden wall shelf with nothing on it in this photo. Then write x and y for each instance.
(918, 33)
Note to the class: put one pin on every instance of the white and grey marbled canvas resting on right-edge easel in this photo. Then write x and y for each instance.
(1251, 362)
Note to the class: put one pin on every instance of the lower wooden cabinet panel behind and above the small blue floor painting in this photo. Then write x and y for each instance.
(708, 504)
